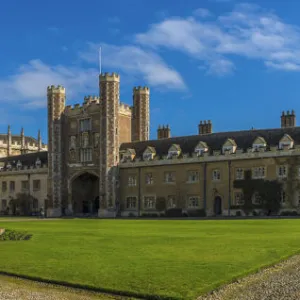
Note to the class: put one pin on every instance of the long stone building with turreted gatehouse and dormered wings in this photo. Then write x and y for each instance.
(100, 161)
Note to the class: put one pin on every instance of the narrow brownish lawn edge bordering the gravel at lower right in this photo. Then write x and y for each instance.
(222, 284)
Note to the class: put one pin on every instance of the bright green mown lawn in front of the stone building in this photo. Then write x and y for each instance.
(176, 259)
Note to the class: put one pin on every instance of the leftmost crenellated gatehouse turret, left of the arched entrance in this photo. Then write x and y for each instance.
(56, 97)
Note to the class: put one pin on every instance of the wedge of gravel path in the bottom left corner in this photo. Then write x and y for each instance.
(19, 289)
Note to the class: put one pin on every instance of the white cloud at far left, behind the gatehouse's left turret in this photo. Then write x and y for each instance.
(29, 84)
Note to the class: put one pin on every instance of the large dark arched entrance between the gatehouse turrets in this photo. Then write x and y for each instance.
(85, 194)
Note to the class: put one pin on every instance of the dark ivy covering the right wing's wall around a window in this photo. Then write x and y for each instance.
(268, 190)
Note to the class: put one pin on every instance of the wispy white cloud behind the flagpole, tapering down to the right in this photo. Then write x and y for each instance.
(135, 61)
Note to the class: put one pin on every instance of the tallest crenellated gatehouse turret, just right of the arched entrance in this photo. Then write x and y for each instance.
(109, 85)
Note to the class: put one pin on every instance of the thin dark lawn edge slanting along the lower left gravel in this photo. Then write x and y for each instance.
(88, 288)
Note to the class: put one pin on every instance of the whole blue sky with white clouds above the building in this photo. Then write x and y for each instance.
(235, 63)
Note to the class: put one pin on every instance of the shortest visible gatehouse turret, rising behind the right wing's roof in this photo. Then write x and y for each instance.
(140, 117)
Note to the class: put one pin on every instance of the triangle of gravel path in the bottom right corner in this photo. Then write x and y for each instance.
(281, 282)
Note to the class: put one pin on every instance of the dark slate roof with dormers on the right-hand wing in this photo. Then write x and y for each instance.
(244, 140)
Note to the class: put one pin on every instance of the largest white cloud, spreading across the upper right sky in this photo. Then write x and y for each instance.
(247, 31)
